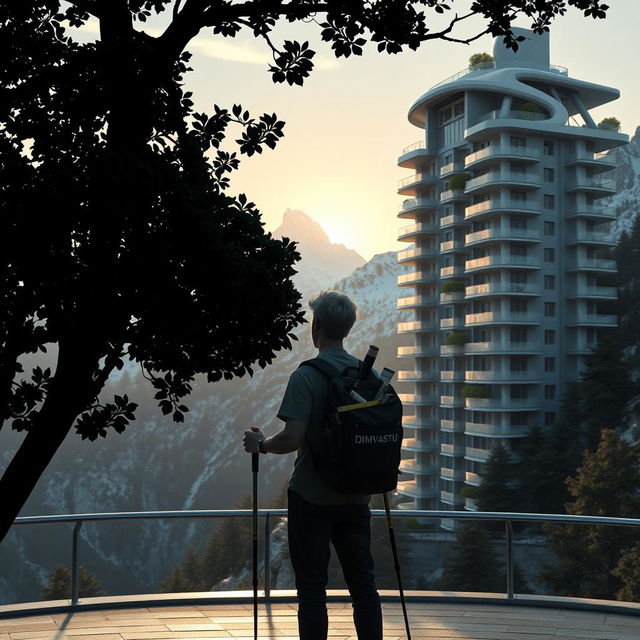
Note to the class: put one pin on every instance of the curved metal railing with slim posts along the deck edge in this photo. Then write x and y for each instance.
(508, 518)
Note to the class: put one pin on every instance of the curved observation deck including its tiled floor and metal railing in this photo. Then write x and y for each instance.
(446, 615)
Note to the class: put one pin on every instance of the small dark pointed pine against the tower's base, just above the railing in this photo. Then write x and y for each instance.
(496, 491)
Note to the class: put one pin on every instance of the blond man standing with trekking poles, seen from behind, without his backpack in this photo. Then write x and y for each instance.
(318, 514)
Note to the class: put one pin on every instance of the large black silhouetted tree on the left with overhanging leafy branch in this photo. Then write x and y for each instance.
(117, 238)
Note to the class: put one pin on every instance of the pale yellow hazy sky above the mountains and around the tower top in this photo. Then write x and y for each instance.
(347, 125)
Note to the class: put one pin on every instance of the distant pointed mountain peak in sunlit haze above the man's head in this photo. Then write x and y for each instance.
(323, 262)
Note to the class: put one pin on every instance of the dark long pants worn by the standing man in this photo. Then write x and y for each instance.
(311, 529)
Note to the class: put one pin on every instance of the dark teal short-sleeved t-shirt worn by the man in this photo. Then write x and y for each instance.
(304, 401)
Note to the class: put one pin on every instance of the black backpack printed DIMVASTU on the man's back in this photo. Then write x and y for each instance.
(357, 450)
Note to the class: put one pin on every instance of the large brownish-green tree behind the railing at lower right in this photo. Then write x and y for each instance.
(605, 485)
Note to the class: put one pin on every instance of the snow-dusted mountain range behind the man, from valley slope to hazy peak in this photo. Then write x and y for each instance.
(158, 465)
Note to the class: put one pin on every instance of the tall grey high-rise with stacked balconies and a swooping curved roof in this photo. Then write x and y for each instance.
(511, 278)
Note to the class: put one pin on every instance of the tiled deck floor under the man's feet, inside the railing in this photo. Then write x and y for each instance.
(429, 621)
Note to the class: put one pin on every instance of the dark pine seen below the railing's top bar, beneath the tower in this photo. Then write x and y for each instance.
(472, 564)
